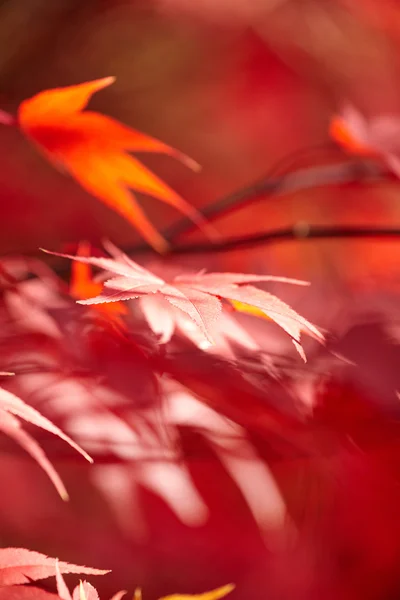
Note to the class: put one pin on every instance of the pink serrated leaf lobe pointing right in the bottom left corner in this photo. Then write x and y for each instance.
(18, 565)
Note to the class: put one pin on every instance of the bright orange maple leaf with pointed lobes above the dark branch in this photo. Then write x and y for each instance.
(94, 148)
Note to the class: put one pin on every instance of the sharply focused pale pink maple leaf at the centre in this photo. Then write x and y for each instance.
(196, 297)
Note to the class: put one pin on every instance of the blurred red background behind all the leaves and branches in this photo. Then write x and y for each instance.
(238, 86)
